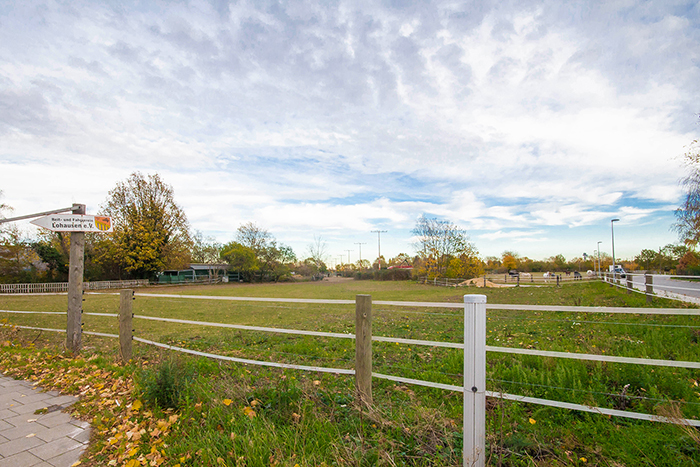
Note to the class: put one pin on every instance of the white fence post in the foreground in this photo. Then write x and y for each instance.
(474, 435)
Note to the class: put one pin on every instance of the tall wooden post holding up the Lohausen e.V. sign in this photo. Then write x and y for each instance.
(74, 331)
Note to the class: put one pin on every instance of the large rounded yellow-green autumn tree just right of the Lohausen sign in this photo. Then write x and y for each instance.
(151, 232)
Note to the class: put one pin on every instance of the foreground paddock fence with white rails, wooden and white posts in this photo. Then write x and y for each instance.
(473, 388)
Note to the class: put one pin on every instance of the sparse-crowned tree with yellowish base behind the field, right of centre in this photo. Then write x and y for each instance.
(438, 243)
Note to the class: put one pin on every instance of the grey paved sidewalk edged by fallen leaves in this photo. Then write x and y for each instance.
(51, 439)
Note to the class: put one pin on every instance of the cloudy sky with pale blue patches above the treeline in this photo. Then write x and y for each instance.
(530, 124)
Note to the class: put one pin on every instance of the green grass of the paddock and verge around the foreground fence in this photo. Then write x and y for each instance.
(311, 418)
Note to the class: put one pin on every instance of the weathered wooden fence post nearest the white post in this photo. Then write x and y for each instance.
(363, 348)
